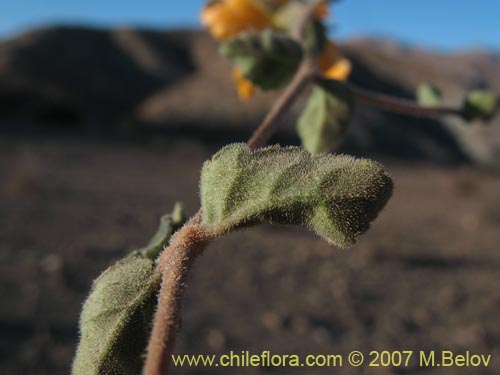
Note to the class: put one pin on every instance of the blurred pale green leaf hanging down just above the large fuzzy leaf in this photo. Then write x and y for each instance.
(326, 118)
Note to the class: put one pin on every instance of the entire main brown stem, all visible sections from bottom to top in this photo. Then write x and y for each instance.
(188, 243)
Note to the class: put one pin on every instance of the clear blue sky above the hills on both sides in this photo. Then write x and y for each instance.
(438, 24)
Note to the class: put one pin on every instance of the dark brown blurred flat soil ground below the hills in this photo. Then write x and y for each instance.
(425, 277)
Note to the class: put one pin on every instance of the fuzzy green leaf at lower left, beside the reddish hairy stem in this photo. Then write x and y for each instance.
(116, 319)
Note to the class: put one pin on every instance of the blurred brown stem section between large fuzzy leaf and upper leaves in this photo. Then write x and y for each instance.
(302, 78)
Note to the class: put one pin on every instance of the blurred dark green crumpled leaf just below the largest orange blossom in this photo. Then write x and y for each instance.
(268, 59)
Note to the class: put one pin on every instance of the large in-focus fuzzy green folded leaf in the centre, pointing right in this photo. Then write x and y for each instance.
(335, 196)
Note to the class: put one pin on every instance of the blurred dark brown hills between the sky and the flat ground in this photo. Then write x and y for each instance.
(177, 81)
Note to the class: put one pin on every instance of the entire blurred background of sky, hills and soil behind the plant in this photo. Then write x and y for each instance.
(107, 111)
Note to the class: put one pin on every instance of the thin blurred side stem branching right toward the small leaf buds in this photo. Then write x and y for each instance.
(398, 105)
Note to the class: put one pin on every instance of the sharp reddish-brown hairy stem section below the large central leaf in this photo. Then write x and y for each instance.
(174, 264)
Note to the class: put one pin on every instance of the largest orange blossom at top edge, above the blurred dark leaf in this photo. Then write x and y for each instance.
(226, 18)
